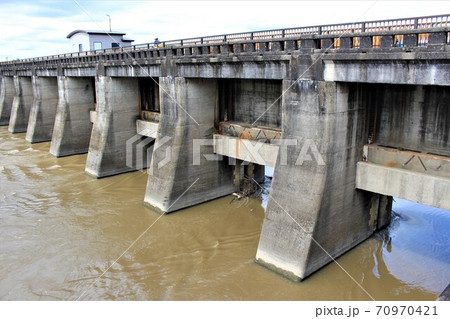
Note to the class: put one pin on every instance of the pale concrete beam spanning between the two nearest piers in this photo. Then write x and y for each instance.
(247, 150)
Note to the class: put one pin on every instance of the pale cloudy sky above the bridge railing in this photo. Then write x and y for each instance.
(34, 28)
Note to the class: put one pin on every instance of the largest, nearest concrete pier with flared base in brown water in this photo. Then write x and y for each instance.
(314, 212)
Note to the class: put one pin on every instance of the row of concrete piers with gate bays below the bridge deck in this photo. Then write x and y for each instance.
(185, 130)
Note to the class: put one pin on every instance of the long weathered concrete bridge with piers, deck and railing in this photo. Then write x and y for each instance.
(348, 115)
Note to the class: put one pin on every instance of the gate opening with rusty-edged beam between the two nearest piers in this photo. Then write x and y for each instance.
(248, 122)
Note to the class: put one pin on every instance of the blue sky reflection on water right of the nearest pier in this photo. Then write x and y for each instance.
(420, 236)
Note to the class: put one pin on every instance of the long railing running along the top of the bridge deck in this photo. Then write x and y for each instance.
(418, 23)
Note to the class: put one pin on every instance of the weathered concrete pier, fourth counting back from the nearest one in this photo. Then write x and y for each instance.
(72, 129)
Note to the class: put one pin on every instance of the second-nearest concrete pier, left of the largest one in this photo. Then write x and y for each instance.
(187, 114)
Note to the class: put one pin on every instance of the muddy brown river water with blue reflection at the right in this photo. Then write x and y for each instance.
(60, 230)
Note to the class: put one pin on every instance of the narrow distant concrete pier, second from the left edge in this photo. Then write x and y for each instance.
(20, 110)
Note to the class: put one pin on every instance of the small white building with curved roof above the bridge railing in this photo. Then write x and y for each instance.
(83, 40)
